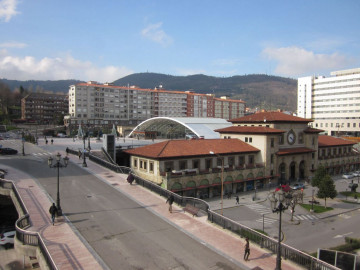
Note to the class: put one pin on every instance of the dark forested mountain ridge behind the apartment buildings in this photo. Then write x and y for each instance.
(257, 90)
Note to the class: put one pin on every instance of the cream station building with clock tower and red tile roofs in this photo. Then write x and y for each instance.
(259, 150)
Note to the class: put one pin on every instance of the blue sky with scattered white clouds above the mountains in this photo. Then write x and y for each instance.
(106, 40)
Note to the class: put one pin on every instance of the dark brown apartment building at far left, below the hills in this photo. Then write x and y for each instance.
(44, 108)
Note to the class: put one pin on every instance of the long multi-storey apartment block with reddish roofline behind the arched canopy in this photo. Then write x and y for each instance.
(105, 104)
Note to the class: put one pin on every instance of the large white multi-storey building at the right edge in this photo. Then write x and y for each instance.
(333, 103)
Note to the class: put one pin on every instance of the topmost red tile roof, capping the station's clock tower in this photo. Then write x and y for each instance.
(270, 117)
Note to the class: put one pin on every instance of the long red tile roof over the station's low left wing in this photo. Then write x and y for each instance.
(188, 148)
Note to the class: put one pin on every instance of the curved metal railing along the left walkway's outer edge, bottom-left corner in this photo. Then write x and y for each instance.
(22, 234)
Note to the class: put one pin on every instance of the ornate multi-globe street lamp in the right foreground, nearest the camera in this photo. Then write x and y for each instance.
(277, 205)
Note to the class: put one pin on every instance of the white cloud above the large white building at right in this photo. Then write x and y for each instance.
(295, 61)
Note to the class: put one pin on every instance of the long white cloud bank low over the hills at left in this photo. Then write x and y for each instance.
(29, 68)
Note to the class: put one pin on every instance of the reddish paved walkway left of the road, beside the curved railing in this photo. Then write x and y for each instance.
(64, 245)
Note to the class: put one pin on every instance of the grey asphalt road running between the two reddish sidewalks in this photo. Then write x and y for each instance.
(122, 232)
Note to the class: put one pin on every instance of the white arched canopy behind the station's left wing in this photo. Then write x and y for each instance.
(181, 127)
